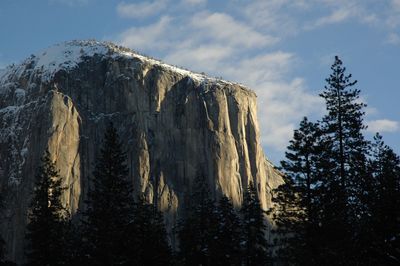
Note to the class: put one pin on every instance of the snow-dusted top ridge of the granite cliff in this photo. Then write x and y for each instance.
(67, 55)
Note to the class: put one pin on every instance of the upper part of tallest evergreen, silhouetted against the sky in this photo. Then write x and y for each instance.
(344, 122)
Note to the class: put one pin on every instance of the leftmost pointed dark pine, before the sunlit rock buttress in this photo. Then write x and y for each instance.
(47, 218)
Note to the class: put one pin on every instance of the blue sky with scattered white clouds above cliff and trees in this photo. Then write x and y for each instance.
(282, 49)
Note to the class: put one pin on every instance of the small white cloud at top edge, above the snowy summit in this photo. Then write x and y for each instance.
(140, 10)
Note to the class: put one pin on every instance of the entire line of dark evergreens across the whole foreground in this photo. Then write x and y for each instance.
(339, 205)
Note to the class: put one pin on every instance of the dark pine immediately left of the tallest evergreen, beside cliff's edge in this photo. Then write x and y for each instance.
(296, 201)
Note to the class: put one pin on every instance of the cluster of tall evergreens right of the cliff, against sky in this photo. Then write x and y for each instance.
(340, 204)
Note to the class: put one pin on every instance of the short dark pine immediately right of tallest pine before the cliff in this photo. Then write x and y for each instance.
(150, 243)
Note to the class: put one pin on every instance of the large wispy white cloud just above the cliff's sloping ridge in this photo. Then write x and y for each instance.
(201, 41)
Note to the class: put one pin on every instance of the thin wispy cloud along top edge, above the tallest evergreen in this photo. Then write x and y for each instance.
(289, 18)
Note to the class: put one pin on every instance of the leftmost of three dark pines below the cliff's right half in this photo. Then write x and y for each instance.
(198, 229)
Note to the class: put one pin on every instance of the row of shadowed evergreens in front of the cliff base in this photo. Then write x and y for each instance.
(117, 229)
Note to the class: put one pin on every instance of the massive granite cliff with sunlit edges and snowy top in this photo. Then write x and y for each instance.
(175, 125)
